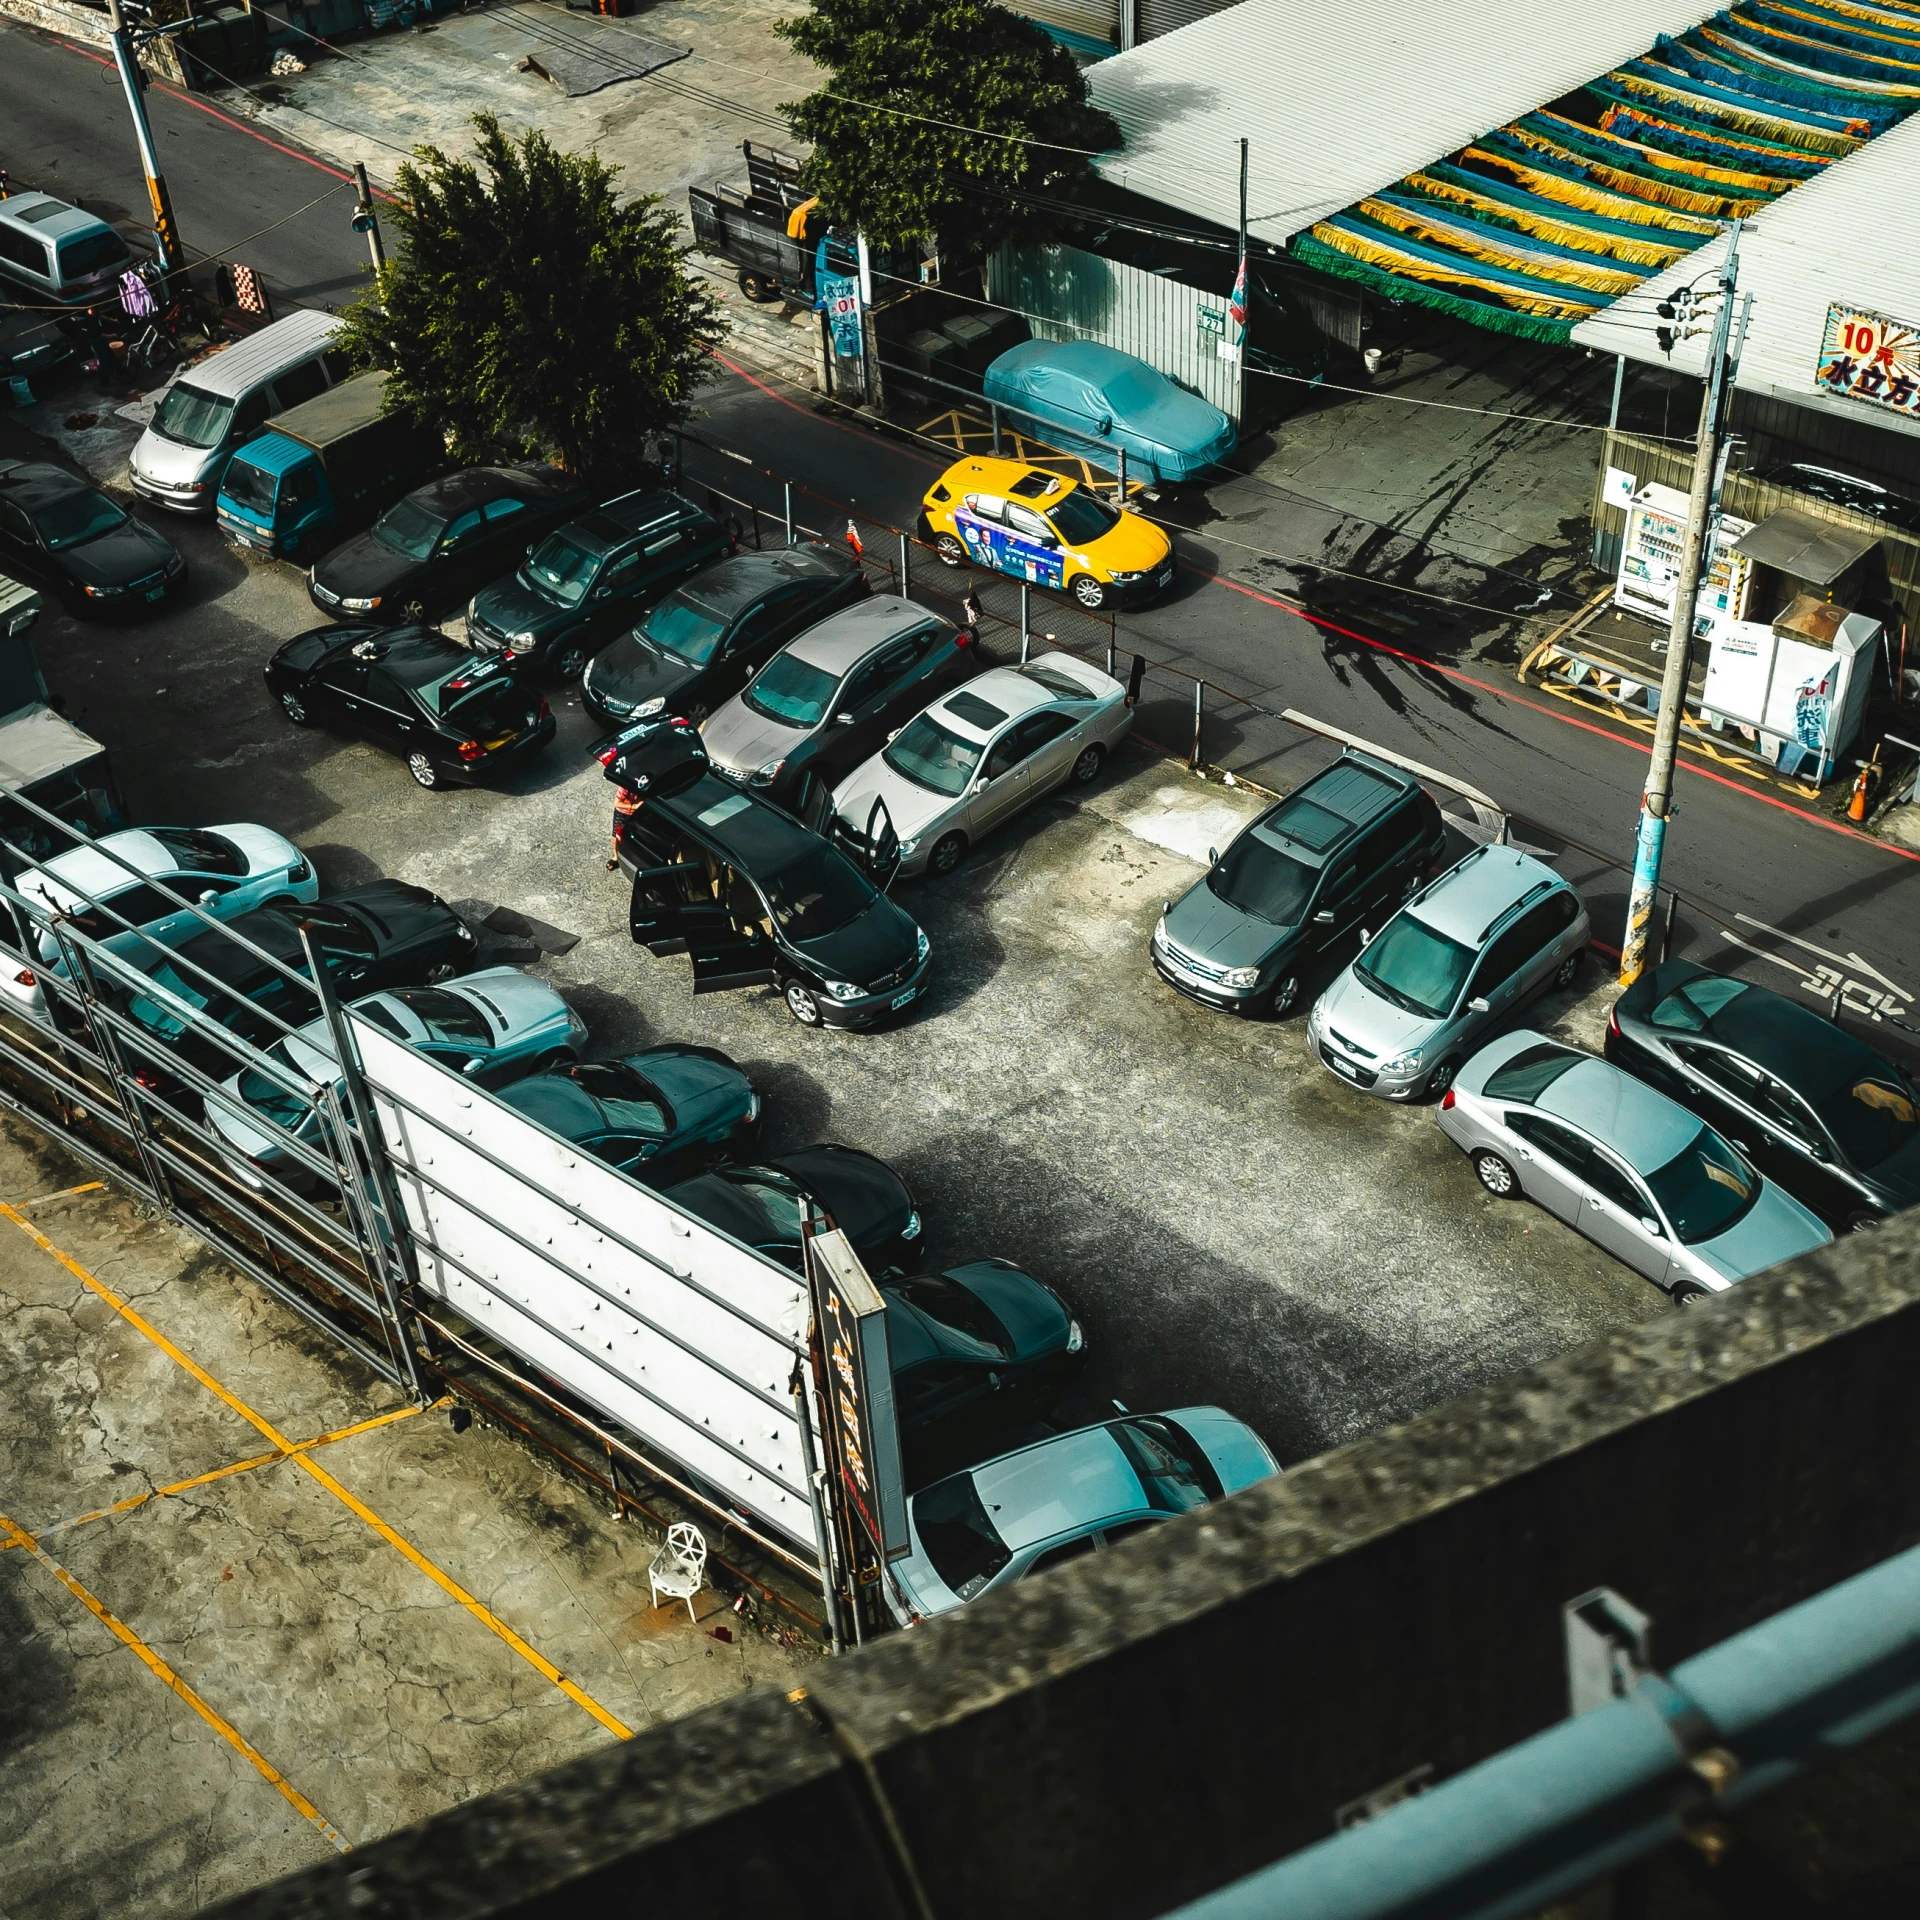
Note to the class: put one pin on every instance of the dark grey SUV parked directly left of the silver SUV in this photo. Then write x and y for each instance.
(1297, 884)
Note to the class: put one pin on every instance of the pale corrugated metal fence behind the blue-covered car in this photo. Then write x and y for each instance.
(1068, 295)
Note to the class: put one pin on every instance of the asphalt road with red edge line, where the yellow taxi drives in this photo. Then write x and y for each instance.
(1806, 892)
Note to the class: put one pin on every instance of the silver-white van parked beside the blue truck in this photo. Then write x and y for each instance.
(224, 400)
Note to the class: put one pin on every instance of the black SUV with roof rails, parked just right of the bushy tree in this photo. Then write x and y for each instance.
(588, 581)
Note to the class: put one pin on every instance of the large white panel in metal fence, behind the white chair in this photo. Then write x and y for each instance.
(688, 1343)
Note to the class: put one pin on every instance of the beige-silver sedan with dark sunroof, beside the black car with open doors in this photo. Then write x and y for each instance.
(982, 754)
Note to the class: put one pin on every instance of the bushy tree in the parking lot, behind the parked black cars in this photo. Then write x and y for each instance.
(529, 314)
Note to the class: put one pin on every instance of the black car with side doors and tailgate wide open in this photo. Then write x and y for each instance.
(757, 896)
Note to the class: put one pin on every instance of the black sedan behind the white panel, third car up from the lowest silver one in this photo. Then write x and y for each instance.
(761, 1205)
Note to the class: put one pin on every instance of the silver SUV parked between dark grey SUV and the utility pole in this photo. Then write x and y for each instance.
(1458, 959)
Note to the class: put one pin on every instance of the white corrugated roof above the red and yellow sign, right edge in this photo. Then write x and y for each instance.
(1850, 239)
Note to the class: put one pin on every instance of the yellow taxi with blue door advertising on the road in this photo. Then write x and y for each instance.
(1045, 529)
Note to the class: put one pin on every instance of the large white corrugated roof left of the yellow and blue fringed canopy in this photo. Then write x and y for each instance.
(1339, 103)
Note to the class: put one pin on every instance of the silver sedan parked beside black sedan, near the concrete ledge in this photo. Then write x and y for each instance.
(1621, 1164)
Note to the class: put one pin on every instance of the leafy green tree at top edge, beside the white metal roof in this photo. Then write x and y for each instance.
(971, 87)
